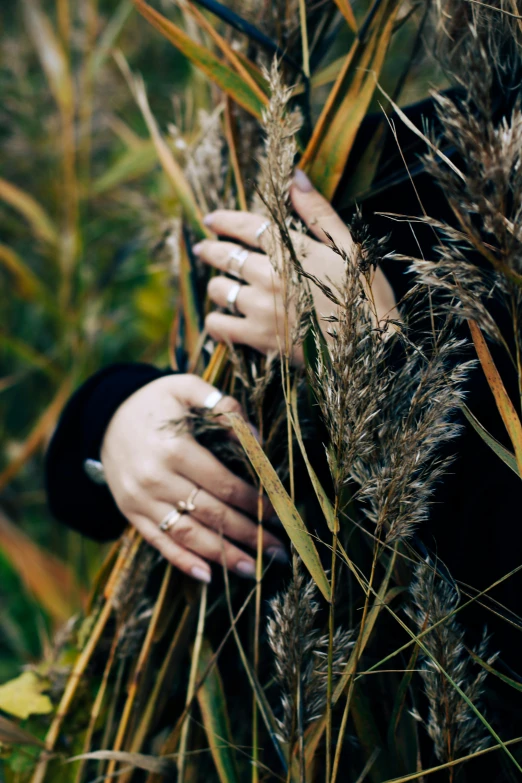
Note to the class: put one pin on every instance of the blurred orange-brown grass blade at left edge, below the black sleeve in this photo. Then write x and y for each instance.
(50, 581)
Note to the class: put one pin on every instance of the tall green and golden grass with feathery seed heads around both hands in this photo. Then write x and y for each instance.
(159, 679)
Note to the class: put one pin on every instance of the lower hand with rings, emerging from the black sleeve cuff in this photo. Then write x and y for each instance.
(151, 466)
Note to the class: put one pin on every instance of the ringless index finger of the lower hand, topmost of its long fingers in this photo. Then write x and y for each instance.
(197, 464)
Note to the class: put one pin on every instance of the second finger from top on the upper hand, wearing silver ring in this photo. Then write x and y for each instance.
(256, 269)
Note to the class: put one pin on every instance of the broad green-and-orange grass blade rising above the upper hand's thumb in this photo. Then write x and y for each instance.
(329, 148)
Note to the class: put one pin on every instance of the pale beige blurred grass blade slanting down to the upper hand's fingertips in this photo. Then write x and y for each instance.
(170, 166)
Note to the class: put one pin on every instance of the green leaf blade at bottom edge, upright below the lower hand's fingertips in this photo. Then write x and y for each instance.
(211, 700)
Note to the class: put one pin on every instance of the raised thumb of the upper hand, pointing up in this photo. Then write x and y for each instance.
(317, 213)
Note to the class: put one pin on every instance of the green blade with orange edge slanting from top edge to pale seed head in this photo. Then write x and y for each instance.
(227, 79)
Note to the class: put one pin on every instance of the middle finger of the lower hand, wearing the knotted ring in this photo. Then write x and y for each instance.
(218, 516)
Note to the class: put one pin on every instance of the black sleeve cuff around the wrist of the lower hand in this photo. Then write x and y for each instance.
(73, 497)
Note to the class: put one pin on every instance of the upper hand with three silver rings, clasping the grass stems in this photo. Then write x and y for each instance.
(260, 299)
